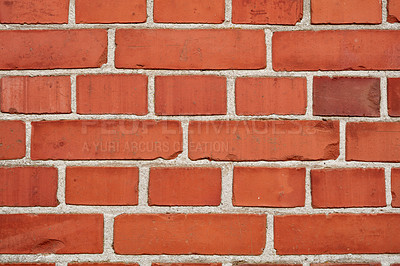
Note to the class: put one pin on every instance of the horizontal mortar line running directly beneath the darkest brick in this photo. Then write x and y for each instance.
(184, 118)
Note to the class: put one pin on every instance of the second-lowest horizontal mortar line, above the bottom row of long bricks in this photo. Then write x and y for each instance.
(131, 209)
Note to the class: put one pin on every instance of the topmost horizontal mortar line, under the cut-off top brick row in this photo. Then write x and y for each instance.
(191, 26)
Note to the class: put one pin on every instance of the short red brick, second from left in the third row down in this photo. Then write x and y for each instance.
(125, 94)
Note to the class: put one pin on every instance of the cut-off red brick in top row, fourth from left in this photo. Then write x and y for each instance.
(283, 12)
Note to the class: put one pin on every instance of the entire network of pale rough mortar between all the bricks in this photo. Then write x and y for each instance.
(269, 254)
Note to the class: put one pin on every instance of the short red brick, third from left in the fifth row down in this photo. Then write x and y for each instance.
(185, 186)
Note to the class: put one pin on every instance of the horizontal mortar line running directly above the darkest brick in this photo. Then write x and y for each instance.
(223, 72)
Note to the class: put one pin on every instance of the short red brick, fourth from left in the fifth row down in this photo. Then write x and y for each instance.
(268, 187)
